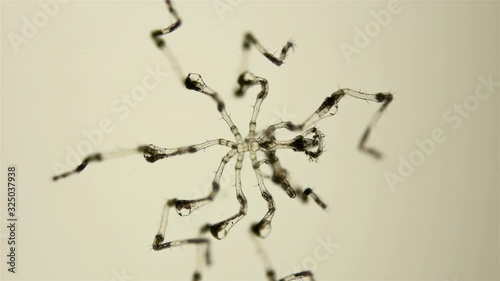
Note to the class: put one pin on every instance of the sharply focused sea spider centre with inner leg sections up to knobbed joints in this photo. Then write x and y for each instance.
(263, 141)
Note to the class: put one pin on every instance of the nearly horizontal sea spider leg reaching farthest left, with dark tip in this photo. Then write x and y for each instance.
(151, 154)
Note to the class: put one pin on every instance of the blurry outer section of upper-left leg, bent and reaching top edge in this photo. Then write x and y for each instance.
(160, 43)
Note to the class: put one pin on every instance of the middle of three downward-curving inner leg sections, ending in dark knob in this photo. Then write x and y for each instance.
(221, 229)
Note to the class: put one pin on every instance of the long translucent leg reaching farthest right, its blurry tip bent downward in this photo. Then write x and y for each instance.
(331, 104)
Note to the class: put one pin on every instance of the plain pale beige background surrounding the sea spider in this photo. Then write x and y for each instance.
(442, 223)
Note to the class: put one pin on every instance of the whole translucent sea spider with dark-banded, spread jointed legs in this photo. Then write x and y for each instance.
(309, 141)
